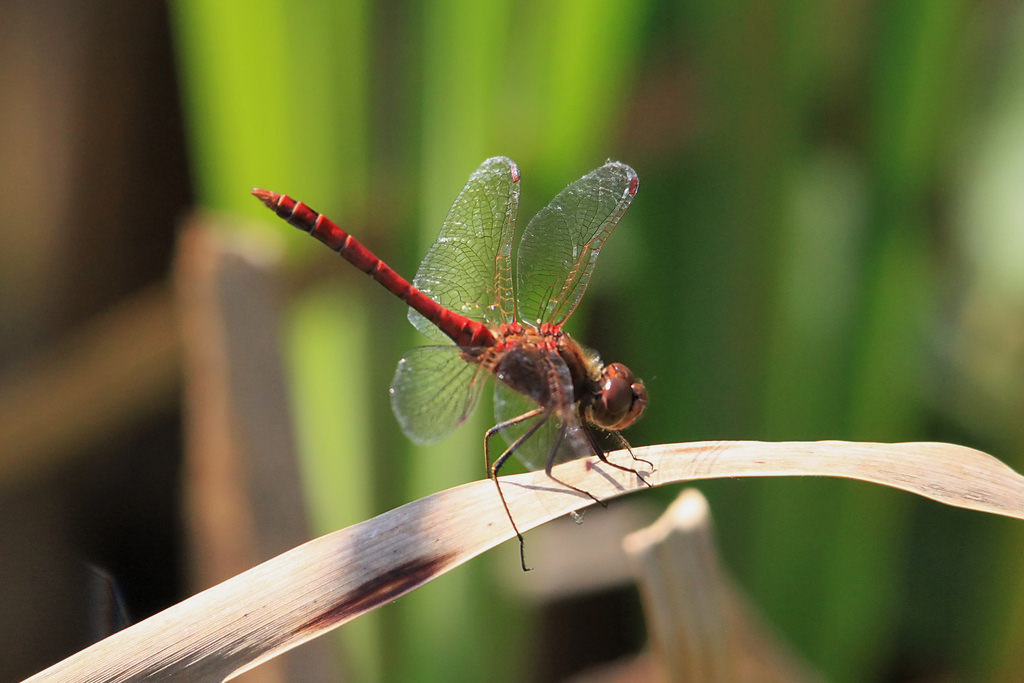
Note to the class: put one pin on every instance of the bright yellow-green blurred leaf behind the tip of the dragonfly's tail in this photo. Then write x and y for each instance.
(276, 96)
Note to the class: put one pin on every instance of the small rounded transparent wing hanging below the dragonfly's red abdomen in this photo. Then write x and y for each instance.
(434, 392)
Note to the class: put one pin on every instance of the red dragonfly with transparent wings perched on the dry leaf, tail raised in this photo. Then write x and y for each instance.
(553, 398)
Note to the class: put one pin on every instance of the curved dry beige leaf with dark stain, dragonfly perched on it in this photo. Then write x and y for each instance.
(325, 583)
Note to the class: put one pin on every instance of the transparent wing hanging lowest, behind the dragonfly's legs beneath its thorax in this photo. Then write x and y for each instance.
(535, 452)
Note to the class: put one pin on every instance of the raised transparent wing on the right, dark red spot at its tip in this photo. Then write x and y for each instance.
(564, 240)
